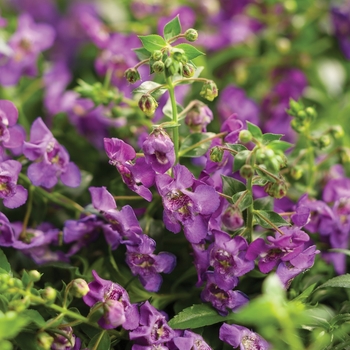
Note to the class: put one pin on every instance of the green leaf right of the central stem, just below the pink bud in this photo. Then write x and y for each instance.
(190, 147)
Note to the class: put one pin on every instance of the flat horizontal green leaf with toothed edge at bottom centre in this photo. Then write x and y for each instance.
(198, 315)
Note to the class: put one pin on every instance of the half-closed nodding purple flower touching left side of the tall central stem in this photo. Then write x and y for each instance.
(159, 151)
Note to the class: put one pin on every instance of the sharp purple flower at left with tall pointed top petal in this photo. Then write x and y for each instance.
(51, 159)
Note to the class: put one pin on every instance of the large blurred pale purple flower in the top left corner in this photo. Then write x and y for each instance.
(27, 43)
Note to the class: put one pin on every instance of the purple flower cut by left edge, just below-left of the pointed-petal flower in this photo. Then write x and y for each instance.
(13, 195)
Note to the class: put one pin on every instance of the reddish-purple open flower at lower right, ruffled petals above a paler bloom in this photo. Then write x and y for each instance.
(282, 247)
